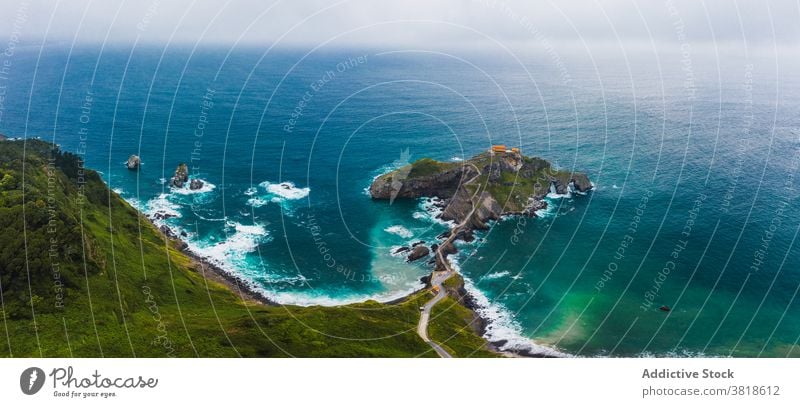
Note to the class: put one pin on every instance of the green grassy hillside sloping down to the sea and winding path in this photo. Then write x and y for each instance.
(135, 294)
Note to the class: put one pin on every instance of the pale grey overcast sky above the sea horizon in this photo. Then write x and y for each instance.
(406, 23)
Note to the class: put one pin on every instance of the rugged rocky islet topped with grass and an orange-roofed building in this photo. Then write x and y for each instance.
(494, 183)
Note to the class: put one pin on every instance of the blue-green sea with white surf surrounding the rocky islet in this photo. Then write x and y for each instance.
(694, 162)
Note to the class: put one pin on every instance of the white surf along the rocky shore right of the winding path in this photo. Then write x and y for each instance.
(502, 326)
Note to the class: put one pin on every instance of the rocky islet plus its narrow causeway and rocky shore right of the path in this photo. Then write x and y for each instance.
(473, 193)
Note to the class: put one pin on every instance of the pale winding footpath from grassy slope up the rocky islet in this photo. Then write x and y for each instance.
(439, 277)
